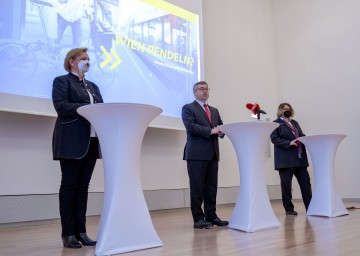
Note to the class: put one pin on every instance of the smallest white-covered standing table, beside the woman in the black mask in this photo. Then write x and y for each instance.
(325, 200)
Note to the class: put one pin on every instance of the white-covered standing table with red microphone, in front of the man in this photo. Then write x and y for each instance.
(252, 210)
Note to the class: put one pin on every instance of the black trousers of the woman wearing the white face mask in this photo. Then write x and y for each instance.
(73, 195)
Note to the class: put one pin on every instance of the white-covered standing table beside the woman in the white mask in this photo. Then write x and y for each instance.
(125, 223)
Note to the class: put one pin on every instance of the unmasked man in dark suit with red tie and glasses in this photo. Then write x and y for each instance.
(202, 155)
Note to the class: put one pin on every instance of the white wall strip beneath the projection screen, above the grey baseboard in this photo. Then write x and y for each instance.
(27, 166)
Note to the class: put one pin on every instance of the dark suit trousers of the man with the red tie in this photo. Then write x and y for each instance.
(203, 176)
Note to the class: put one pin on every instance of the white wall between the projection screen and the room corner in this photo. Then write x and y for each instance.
(240, 69)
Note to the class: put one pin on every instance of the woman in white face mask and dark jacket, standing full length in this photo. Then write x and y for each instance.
(75, 145)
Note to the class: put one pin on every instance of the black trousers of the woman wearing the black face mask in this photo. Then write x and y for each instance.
(303, 179)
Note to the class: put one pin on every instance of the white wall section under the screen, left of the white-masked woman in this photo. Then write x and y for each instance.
(25, 155)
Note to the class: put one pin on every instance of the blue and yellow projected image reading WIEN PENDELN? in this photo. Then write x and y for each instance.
(141, 51)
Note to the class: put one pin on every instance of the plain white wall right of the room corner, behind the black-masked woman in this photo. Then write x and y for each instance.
(318, 58)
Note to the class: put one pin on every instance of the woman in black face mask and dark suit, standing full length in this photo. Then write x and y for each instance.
(290, 157)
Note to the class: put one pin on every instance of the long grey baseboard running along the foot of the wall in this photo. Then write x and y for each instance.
(27, 208)
